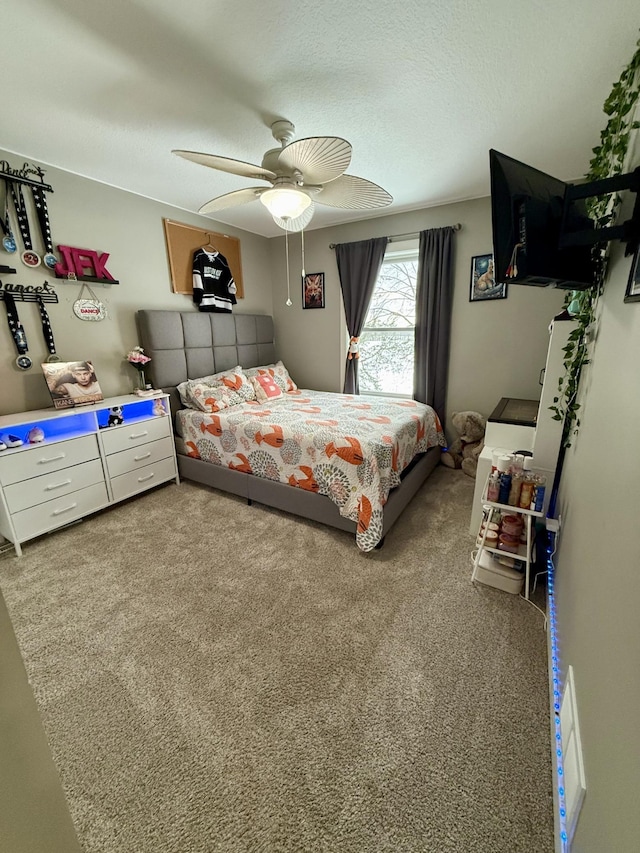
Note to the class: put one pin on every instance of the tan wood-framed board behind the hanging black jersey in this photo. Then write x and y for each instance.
(183, 240)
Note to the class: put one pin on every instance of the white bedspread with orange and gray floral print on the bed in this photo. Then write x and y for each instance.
(350, 448)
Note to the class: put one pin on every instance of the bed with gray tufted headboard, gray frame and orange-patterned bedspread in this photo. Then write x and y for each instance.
(278, 452)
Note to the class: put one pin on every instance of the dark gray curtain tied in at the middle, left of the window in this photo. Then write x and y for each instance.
(358, 267)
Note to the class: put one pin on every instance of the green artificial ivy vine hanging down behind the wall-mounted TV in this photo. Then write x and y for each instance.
(608, 160)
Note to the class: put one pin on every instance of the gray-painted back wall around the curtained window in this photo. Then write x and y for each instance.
(497, 348)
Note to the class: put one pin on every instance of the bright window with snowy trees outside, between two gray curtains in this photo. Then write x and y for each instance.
(387, 338)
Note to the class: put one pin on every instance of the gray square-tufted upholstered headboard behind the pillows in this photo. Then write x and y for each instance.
(188, 344)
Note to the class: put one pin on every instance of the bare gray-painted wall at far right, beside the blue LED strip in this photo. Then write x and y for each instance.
(598, 570)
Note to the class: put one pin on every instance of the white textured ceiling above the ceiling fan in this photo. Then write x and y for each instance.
(421, 89)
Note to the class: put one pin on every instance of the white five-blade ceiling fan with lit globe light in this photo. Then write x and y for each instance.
(301, 174)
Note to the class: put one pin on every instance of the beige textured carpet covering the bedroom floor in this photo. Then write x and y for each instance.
(218, 677)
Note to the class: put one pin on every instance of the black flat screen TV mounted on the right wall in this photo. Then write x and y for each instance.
(527, 219)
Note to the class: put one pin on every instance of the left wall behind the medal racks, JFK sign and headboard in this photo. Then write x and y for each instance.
(91, 215)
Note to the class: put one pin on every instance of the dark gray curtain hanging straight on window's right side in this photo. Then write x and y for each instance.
(433, 318)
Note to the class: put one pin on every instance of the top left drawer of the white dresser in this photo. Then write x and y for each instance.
(44, 458)
